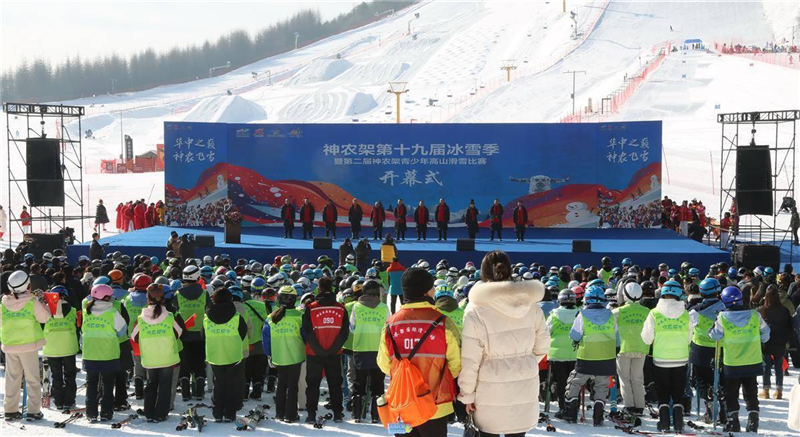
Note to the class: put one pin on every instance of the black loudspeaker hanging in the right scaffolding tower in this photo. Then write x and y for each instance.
(753, 181)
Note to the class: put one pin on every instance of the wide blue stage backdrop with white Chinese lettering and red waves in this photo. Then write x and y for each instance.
(567, 175)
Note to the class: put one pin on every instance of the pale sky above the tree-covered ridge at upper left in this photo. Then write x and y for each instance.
(55, 30)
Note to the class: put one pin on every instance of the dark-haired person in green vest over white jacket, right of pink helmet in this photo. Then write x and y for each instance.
(157, 332)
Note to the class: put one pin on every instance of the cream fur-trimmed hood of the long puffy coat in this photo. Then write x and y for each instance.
(513, 299)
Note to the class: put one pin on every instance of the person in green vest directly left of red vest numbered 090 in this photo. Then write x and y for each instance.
(283, 344)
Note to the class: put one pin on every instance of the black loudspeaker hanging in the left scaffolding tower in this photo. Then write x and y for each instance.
(45, 180)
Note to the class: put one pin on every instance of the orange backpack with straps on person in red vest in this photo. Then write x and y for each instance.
(408, 398)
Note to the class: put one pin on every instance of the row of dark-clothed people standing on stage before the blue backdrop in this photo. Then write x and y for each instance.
(421, 217)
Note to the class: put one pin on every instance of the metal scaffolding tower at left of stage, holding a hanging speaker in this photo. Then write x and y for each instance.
(51, 121)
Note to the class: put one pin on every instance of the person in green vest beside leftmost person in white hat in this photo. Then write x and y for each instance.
(61, 350)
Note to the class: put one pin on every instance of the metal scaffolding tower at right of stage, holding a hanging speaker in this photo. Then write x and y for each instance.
(780, 128)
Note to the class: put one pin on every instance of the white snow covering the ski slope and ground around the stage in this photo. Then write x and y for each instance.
(453, 56)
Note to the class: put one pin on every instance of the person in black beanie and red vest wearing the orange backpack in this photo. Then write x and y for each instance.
(442, 349)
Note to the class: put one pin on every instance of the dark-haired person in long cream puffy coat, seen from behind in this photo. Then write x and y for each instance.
(504, 337)
